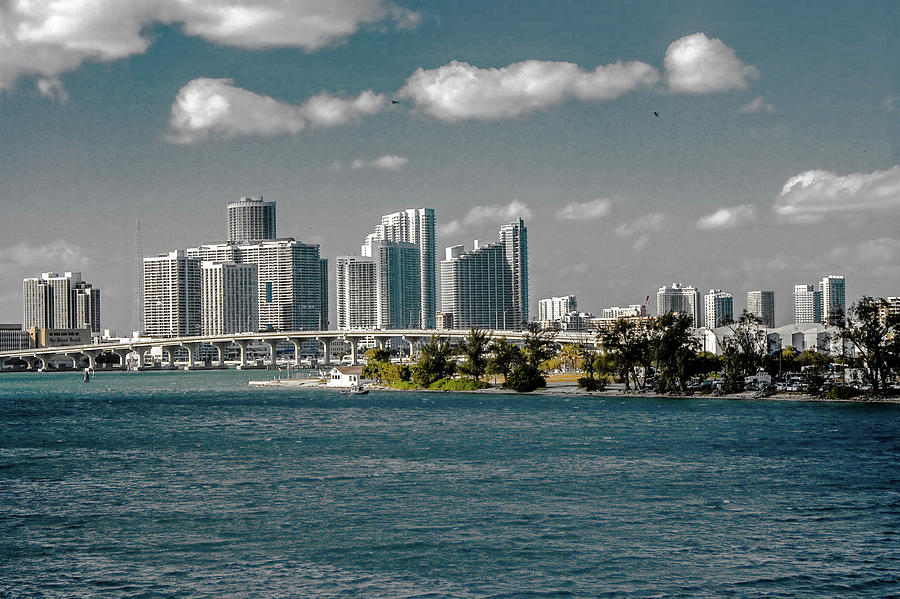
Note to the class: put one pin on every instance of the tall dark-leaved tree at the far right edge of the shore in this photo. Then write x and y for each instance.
(875, 334)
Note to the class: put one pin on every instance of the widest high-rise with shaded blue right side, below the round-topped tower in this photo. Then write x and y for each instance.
(289, 287)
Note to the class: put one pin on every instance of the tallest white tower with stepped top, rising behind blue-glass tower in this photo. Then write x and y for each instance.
(413, 225)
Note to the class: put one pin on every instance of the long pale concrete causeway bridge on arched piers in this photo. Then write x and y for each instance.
(39, 358)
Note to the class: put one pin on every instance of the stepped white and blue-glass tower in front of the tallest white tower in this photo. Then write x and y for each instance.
(380, 290)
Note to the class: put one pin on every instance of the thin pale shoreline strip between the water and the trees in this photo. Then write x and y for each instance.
(563, 389)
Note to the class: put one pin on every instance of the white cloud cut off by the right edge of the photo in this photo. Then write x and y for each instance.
(811, 195)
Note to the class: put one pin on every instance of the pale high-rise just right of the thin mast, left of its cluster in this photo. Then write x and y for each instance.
(172, 304)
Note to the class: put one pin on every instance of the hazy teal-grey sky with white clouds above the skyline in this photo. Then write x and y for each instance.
(774, 159)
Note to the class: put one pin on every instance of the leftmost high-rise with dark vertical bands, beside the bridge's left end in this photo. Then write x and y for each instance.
(56, 301)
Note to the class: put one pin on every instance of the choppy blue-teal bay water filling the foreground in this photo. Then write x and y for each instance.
(194, 485)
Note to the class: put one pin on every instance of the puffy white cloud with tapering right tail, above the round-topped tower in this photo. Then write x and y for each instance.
(214, 108)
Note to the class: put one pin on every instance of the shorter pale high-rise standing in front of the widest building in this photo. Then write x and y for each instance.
(230, 302)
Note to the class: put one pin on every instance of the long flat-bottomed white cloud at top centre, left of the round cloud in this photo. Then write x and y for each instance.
(459, 91)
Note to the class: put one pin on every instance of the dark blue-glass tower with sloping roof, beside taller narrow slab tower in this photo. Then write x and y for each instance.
(476, 288)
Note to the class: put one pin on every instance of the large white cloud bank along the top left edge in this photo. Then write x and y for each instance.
(43, 37)
